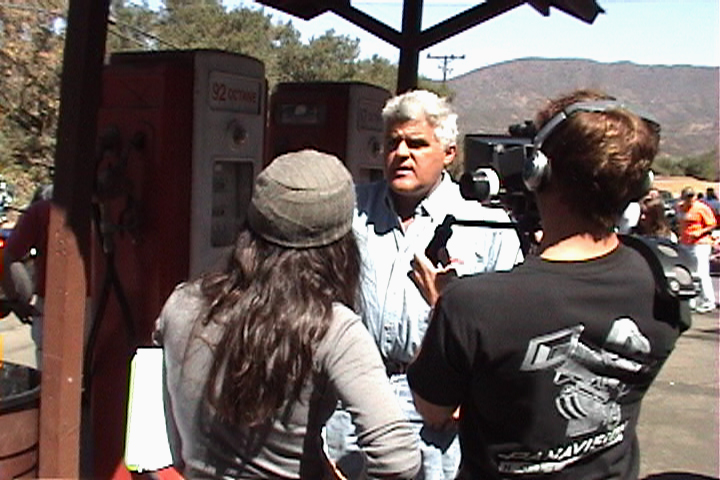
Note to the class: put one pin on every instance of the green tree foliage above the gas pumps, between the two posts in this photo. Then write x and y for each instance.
(206, 24)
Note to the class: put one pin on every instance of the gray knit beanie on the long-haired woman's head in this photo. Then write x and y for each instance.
(302, 199)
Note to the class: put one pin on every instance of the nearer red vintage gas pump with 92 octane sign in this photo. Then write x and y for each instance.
(181, 138)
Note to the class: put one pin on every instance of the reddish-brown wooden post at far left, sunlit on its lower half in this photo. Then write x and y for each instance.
(69, 239)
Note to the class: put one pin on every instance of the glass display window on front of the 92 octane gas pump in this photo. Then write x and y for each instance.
(231, 193)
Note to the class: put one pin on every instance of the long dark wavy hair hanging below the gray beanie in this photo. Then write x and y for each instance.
(274, 305)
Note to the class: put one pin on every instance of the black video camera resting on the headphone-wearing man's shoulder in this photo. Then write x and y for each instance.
(494, 174)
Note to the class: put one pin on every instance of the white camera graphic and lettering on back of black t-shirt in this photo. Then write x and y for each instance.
(588, 389)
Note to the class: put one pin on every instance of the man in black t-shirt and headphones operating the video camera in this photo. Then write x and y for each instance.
(548, 363)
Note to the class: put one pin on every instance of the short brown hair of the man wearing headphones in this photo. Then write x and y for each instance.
(599, 159)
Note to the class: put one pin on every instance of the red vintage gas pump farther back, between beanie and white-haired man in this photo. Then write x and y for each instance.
(342, 118)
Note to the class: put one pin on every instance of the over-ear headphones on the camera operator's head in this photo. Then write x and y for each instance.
(536, 168)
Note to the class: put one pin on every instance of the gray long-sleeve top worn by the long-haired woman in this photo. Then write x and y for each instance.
(347, 367)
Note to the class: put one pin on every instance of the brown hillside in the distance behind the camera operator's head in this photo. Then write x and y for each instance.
(684, 99)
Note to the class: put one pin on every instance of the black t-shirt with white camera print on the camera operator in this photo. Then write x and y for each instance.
(549, 363)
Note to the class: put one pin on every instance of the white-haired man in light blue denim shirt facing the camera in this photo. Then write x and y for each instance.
(396, 219)
